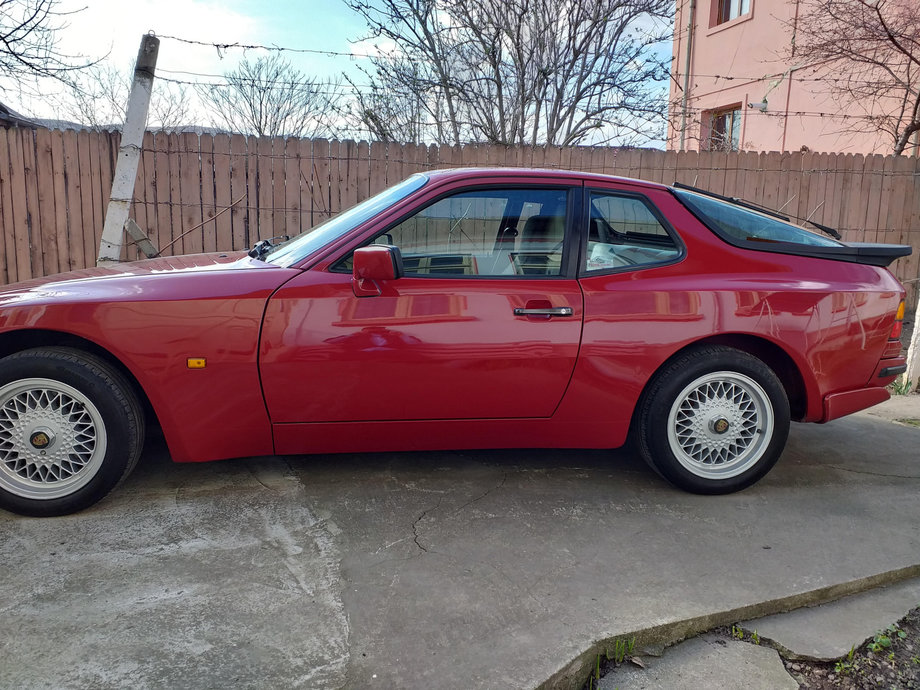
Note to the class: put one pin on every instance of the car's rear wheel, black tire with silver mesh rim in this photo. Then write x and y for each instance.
(713, 421)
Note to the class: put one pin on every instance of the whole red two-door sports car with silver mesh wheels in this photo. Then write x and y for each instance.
(457, 309)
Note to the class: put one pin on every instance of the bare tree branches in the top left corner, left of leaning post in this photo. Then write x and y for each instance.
(29, 43)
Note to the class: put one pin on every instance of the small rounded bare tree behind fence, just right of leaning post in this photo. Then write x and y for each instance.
(268, 97)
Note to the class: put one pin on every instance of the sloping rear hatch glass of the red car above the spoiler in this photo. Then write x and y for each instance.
(736, 223)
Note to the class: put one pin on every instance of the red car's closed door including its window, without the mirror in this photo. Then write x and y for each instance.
(484, 324)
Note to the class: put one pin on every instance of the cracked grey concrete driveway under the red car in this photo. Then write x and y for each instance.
(454, 570)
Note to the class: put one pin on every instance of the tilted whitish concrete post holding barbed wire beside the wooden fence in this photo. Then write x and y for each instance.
(129, 153)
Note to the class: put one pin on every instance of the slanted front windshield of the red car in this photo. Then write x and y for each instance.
(300, 247)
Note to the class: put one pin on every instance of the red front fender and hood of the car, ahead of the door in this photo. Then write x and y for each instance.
(152, 324)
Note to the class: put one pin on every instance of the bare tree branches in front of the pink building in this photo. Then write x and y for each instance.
(871, 51)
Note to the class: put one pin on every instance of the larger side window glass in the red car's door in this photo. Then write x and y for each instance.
(488, 232)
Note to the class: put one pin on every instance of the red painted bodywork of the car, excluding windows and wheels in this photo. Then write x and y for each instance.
(297, 363)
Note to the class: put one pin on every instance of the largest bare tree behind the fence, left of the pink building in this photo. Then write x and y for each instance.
(520, 71)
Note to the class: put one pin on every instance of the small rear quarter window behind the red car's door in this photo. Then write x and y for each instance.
(623, 232)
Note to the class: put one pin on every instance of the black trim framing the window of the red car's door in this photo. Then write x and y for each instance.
(568, 265)
